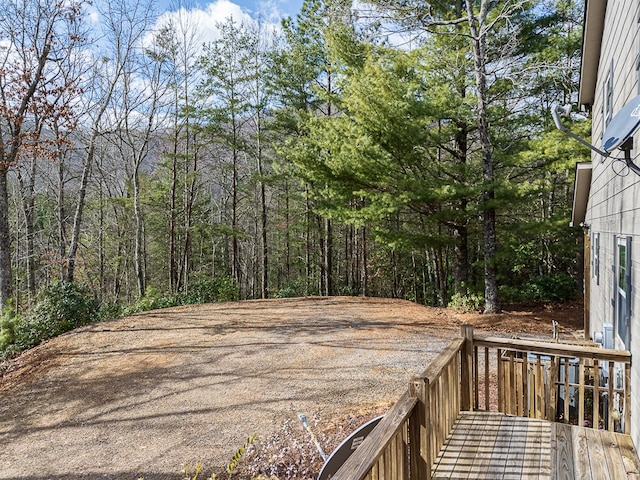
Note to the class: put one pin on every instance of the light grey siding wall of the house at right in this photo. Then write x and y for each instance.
(613, 209)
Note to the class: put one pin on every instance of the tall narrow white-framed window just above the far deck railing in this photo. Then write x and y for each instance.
(622, 289)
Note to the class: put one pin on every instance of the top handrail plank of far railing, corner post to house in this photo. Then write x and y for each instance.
(548, 348)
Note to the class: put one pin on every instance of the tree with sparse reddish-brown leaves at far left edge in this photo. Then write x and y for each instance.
(34, 36)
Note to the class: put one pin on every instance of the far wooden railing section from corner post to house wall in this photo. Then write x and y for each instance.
(591, 384)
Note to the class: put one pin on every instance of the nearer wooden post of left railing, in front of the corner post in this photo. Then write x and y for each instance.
(419, 438)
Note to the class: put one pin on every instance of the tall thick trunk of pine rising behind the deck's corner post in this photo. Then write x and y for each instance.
(479, 41)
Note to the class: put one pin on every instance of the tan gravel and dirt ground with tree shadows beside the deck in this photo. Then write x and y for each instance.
(139, 396)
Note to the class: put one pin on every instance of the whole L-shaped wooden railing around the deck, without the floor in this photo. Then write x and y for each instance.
(547, 380)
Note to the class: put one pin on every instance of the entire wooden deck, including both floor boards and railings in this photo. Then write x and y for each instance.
(431, 431)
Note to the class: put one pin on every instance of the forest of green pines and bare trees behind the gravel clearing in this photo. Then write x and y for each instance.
(398, 149)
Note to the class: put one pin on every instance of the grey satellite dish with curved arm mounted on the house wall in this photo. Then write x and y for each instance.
(618, 134)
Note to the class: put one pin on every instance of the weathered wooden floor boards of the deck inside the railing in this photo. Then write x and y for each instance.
(487, 445)
